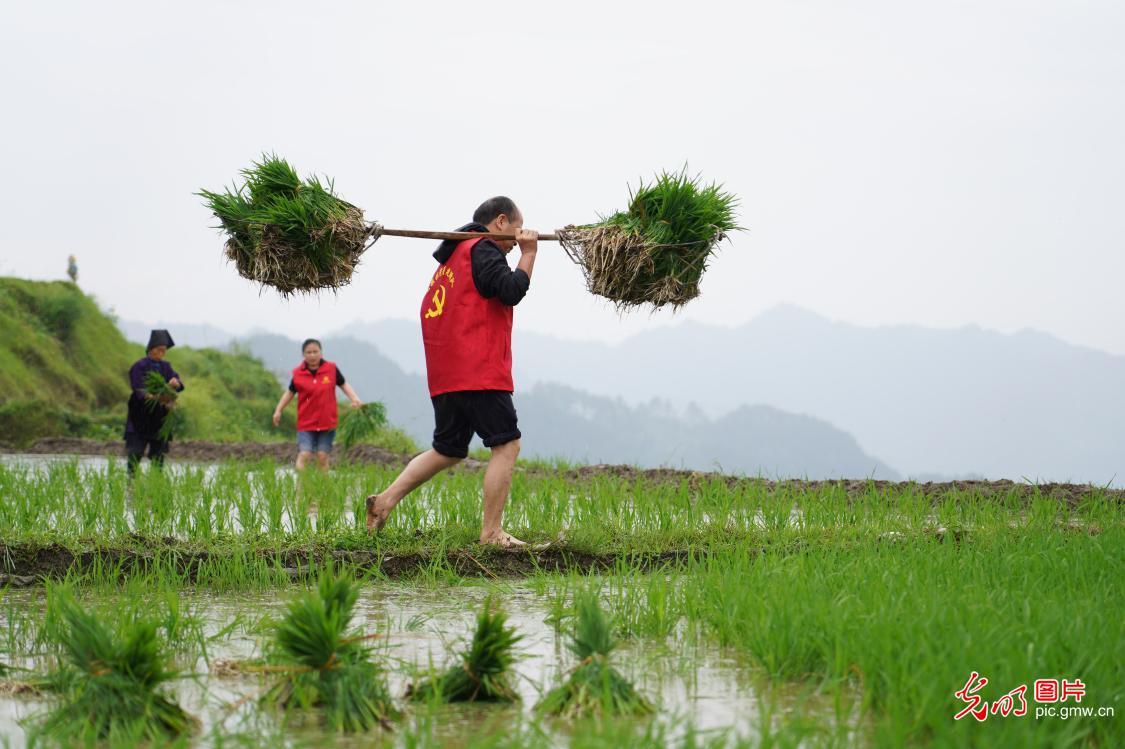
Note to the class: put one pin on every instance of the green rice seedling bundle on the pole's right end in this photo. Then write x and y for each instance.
(656, 251)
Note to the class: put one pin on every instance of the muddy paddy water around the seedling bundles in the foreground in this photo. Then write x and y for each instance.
(698, 684)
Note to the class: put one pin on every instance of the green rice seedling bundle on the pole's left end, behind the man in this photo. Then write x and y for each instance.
(291, 234)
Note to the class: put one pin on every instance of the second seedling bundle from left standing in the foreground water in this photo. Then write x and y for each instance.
(322, 664)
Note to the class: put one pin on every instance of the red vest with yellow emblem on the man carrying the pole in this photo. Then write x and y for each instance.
(469, 339)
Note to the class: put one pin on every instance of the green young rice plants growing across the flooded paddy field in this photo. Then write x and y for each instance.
(879, 603)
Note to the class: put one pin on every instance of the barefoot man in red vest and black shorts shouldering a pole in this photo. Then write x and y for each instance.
(467, 331)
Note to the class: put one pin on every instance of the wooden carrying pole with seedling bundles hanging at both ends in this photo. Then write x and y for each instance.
(299, 237)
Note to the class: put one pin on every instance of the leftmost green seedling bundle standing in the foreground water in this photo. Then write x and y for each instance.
(112, 681)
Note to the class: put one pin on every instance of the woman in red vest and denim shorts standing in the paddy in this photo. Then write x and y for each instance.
(314, 383)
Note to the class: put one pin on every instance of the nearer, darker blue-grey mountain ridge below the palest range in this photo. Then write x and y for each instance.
(562, 422)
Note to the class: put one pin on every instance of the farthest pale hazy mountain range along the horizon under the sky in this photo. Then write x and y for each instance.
(930, 402)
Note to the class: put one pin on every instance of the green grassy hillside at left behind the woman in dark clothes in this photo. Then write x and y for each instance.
(65, 373)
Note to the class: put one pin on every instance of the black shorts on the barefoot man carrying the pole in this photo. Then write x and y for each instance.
(457, 416)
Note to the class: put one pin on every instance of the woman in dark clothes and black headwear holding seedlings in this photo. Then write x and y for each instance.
(147, 412)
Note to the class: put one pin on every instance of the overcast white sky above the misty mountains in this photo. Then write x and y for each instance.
(938, 164)
